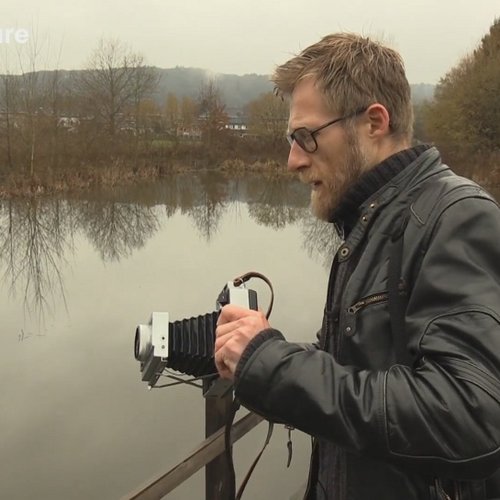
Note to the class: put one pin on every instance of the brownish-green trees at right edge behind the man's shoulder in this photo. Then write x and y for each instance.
(463, 118)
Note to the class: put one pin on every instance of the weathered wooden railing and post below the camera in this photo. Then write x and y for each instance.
(209, 454)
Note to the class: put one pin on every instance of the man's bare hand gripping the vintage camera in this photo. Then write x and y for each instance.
(236, 327)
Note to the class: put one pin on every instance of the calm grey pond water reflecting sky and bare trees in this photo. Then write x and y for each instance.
(79, 274)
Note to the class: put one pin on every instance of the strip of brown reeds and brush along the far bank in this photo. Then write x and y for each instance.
(123, 160)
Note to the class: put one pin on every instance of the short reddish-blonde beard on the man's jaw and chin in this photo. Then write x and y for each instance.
(355, 165)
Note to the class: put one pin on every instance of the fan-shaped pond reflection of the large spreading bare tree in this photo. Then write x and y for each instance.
(116, 229)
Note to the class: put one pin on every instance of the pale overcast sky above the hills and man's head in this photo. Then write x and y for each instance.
(252, 36)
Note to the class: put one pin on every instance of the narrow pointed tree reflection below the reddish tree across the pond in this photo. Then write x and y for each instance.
(208, 206)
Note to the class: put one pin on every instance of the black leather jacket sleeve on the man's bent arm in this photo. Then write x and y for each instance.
(443, 413)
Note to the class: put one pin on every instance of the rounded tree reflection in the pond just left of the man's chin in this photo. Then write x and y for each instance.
(278, 204)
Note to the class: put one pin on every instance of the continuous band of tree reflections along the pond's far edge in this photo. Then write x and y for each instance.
(36, 235)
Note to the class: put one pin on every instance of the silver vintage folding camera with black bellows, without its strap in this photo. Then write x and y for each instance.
(185, 345)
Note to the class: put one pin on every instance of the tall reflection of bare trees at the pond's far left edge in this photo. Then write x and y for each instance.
(34, 237)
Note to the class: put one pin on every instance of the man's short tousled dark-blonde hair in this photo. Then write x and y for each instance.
(353, 72)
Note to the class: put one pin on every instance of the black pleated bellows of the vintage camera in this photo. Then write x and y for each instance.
(191, 344)
